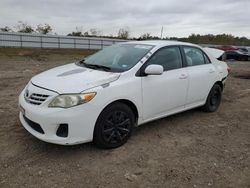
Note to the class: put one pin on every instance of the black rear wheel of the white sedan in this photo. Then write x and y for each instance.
(214, 99)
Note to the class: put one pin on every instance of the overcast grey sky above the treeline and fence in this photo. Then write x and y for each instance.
(179, 18)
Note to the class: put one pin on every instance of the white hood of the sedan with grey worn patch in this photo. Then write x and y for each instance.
(72, 78)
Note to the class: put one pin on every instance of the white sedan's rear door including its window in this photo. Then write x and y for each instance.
(201, 74)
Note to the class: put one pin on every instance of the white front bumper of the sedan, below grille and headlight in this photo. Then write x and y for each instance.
(80, 119)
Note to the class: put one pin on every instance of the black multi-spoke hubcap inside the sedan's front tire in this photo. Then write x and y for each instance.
(116, 127)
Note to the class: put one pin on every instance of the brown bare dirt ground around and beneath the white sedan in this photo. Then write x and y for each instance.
(190, 149)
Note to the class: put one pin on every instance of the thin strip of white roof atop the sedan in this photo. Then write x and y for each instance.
(160, 43)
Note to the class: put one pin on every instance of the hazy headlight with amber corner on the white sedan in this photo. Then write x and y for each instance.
(70, 100)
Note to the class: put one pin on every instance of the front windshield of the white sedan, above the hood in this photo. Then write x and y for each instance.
(118, 57)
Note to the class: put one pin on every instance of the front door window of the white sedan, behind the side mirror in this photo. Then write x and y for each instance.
(169, 58)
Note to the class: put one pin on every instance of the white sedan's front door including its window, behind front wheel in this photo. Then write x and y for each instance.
(163, 94)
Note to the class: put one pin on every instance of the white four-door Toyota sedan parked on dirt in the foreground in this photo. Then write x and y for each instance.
(102, 97)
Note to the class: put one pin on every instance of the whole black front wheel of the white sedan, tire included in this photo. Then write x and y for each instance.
(114, 126)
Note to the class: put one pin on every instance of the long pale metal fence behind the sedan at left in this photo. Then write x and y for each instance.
(8, 39)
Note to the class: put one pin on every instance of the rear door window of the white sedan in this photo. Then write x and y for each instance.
(194, 56)
